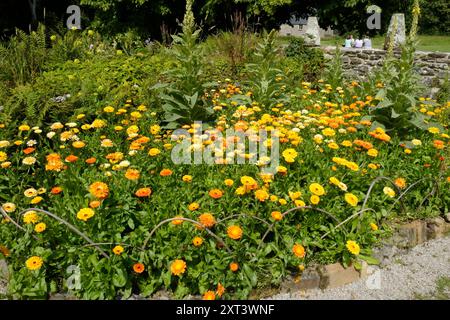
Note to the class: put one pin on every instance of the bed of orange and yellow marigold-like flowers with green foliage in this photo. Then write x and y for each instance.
(97, 205)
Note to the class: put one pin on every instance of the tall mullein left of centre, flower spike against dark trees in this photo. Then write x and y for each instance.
(183, 97)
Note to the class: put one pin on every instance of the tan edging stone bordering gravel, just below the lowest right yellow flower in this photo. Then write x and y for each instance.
(335, 275)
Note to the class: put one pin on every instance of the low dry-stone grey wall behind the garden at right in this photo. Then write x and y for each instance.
(432, 66)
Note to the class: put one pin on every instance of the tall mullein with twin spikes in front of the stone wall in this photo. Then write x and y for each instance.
(396, 109)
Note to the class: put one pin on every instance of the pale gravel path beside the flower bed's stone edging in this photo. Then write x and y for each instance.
(406, 276)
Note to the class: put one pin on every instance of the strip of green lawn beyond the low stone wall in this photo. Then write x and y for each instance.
(426, 43)
